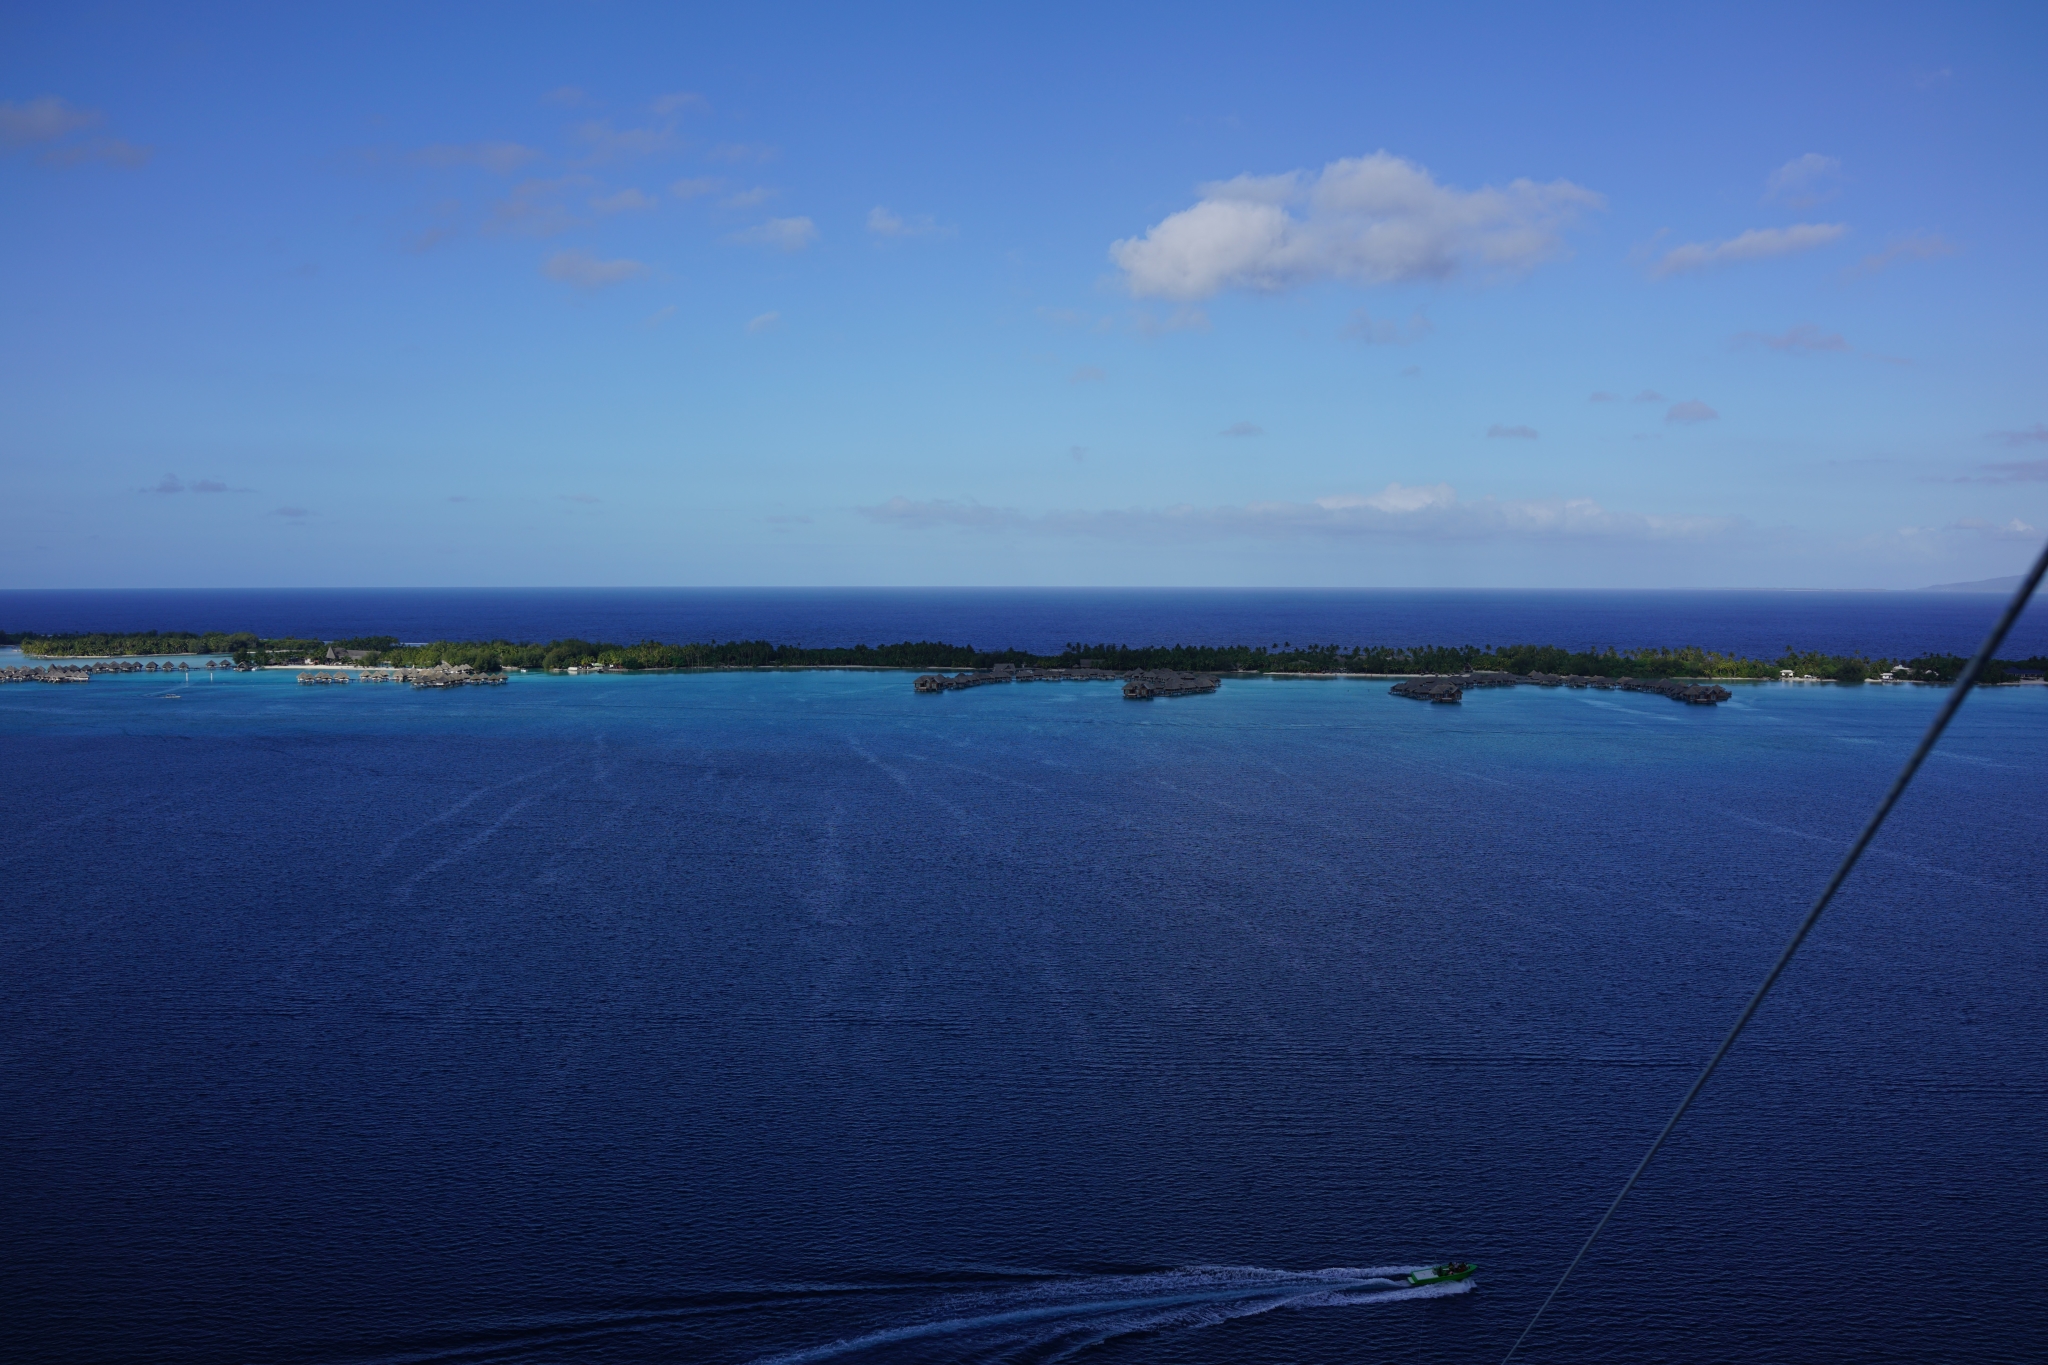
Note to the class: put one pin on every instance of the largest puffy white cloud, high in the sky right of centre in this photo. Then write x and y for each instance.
(1375, 220)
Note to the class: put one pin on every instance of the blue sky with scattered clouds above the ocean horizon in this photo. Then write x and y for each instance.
(953, 296)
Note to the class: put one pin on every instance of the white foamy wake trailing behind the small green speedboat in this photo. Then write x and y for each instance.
(1097, 1309)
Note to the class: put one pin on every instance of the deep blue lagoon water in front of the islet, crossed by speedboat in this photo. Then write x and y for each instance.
(732, 1018)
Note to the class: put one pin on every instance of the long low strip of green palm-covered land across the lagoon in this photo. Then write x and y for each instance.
(1279, 658)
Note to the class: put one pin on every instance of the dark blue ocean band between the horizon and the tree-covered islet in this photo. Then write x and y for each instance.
(1744, 623)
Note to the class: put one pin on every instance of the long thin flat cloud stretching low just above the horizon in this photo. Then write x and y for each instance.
(1426, 513)
